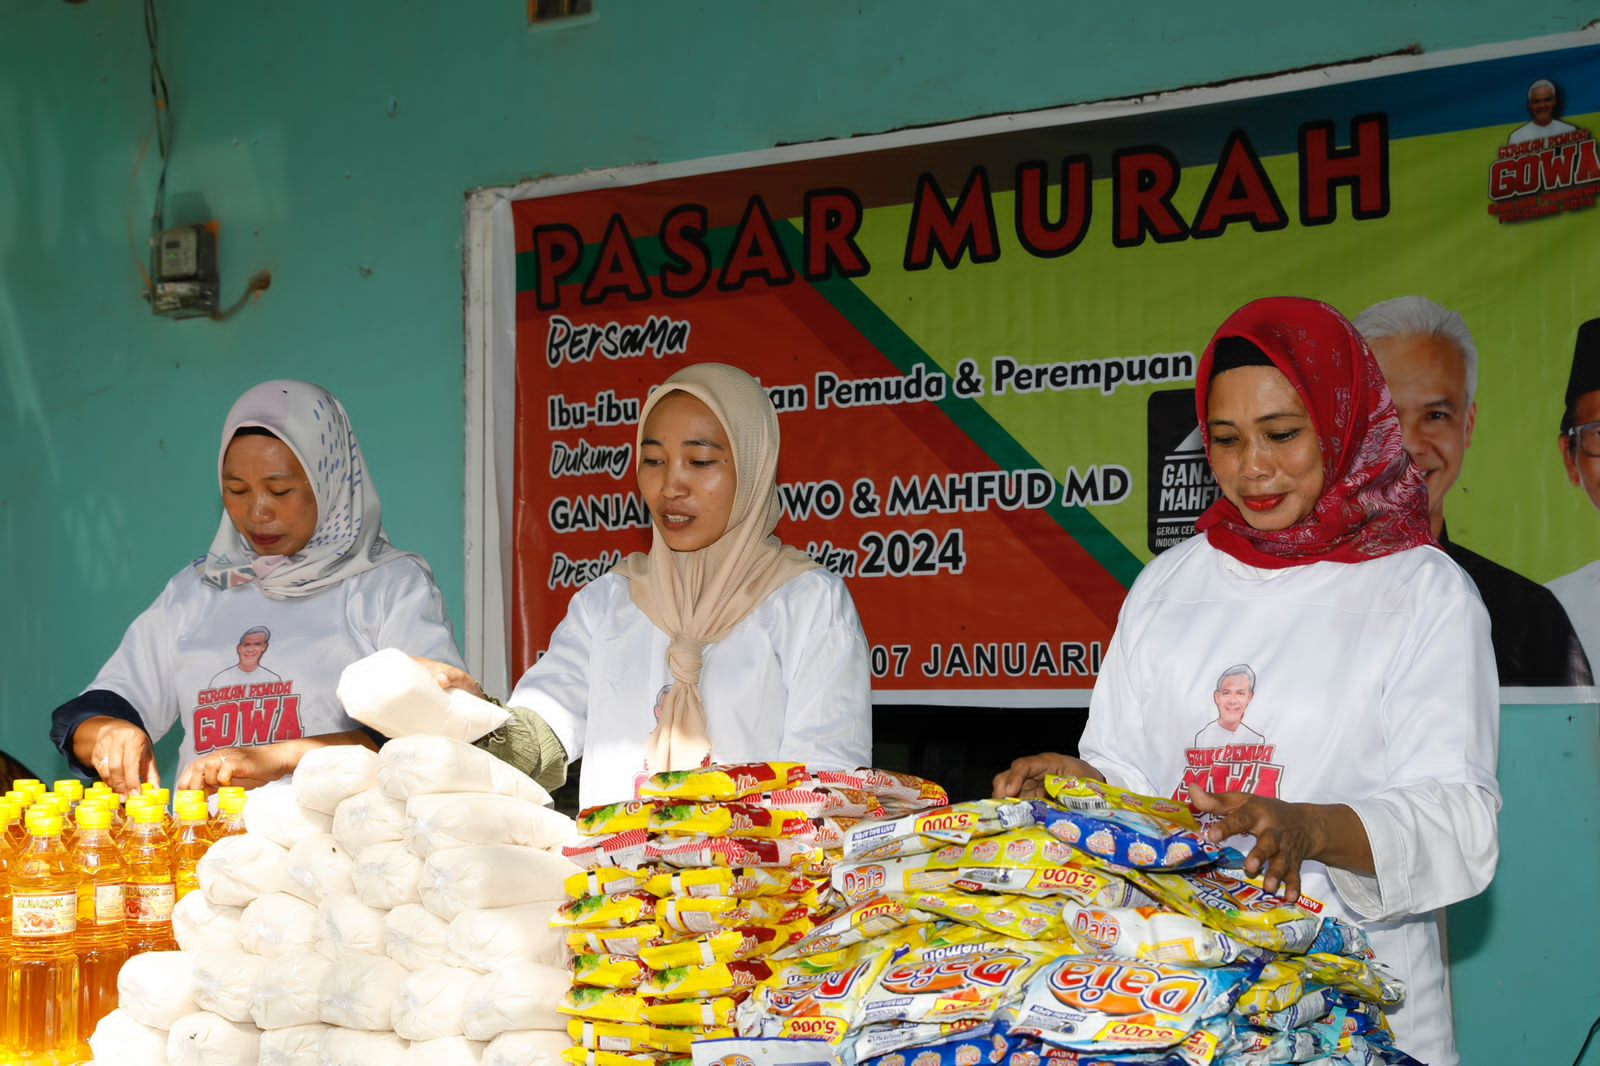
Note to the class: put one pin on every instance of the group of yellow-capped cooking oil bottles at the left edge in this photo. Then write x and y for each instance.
(84, 888)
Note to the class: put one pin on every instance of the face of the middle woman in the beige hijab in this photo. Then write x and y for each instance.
(686, 473)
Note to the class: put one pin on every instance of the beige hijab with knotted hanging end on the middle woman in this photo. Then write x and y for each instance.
(698, 598)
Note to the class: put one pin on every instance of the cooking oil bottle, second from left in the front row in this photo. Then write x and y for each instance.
(102, 944)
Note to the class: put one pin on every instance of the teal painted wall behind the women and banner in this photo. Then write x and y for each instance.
(335, 143)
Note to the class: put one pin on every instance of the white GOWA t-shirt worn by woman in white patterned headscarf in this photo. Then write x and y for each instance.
(180, 659)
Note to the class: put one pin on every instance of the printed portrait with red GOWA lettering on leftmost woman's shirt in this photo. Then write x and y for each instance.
(247, 703)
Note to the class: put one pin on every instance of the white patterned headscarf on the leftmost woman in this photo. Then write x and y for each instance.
(350, 537)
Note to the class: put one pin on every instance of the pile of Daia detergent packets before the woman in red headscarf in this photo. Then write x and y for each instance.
(1100, 928)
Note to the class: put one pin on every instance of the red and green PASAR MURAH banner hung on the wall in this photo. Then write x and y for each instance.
(982, 343)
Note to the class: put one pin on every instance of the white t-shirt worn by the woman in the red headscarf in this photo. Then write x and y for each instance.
(1375, 687)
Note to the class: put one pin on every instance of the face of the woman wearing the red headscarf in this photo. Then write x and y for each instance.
(1265, 451)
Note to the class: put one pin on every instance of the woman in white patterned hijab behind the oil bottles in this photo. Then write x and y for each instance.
(246, 646)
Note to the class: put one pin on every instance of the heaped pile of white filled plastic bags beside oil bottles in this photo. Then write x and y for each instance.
(383, 912)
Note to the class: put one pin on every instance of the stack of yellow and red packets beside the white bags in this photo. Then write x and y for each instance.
(692, 891)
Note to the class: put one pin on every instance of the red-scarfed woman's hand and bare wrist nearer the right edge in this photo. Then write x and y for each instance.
(1287, 835)
